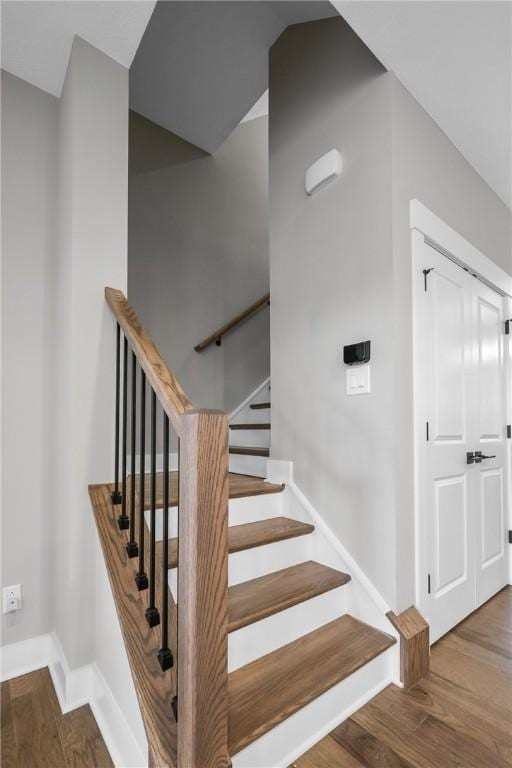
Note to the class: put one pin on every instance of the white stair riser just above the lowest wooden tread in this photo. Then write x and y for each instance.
(255, 640)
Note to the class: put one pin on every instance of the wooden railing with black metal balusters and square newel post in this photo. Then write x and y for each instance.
(193, 647)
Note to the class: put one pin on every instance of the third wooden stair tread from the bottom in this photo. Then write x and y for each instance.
(251, 535)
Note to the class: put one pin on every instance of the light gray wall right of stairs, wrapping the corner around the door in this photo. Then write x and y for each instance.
(340, 265)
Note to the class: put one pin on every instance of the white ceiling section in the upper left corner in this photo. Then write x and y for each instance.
(37, 36)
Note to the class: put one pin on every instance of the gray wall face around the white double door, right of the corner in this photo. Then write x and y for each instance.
(427, 166)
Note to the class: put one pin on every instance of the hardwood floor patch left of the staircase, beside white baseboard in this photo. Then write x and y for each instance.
(35, 733)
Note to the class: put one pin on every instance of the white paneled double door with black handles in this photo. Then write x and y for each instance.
(460, 346)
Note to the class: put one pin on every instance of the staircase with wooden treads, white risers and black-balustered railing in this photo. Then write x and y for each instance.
(266, 643)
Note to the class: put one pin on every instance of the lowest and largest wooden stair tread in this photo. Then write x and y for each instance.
(267, 691)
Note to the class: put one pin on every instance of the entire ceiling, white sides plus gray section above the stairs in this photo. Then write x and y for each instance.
(453, 56)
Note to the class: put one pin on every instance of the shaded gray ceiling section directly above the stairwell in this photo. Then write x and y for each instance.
(202, 65)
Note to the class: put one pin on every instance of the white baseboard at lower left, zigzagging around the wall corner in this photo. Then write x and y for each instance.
(74, 688)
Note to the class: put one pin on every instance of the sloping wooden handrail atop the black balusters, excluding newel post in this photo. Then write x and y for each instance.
(169, 391)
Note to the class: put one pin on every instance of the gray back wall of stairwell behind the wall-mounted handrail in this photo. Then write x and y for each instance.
(198, 254)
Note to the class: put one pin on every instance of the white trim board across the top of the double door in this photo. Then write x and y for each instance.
(441, 236)
